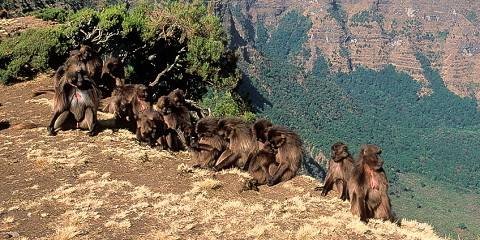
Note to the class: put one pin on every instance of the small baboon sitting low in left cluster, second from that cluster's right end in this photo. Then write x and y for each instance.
(151, 128)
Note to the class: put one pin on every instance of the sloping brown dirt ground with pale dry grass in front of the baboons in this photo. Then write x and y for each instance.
(72, 186)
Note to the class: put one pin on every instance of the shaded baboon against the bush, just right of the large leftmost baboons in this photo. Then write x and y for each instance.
(113, 75)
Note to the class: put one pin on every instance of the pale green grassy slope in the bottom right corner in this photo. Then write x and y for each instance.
(451, 210)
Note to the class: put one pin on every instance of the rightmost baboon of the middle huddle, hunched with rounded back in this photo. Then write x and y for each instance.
(289, 154)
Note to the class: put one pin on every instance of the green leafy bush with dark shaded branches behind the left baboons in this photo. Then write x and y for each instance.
(171, 45)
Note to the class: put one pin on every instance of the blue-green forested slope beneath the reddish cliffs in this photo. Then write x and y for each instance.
(435, 136)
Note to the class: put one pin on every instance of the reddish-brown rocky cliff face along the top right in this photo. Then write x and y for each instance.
(376, 33)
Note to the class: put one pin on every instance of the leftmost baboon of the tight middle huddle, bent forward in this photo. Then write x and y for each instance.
(210, 145)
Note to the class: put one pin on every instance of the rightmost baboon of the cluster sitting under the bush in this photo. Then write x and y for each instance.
(177, 119)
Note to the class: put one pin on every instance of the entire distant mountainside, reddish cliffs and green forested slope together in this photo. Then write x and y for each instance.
(363, 72)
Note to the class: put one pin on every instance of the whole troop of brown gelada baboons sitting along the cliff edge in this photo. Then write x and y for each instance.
(270, 153)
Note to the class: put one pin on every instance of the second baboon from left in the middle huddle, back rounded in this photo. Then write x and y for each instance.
(242, 145)
